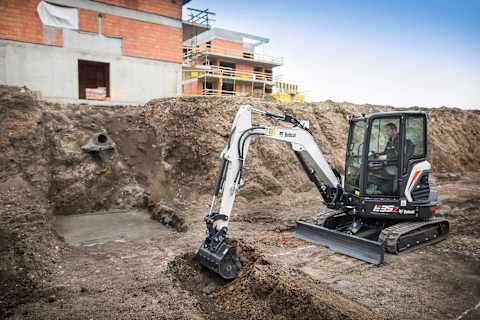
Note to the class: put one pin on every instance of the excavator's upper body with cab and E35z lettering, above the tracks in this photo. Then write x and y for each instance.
(386, 165)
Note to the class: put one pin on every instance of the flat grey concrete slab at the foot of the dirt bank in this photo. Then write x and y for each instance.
(107, 226)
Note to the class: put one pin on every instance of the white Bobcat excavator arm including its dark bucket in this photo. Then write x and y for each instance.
(215, 252)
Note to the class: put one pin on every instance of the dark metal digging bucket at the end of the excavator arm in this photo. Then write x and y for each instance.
(223, 260)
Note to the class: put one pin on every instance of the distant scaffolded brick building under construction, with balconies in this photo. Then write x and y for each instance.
(224, 62)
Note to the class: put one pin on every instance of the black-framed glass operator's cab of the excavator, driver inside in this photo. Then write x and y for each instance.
(382, 150)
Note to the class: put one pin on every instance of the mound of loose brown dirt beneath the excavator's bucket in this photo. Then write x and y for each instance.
(263, 290)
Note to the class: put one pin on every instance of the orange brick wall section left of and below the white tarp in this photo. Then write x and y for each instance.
(19, 21)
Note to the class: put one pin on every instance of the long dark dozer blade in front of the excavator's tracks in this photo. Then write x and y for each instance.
(350, 245)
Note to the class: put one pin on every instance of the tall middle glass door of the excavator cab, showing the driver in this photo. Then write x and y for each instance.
(383, 158)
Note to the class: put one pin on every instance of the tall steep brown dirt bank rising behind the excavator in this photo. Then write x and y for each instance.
(170, 148)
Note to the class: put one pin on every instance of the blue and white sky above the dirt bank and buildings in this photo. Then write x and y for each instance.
(396, 52)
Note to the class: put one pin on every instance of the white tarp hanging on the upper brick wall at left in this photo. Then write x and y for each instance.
(56, 16)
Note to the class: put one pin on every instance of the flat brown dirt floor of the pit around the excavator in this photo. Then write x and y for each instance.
(156, 277)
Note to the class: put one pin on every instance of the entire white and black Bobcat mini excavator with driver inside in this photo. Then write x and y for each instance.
(383, 203)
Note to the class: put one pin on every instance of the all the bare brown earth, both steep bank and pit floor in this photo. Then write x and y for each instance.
(164, 163)
